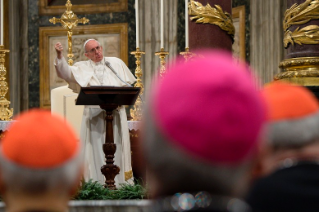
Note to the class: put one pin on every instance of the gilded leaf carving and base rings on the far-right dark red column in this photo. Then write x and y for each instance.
(301, 70)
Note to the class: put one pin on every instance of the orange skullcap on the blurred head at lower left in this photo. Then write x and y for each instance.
(39, 140)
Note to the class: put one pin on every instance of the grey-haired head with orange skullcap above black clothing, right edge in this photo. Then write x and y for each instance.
(293, 123)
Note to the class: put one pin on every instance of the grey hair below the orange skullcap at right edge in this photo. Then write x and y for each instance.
(293, 133)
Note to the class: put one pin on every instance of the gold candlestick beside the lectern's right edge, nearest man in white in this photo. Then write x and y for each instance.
(136, 113)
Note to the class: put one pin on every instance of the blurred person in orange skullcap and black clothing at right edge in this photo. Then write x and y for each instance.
(289, 162)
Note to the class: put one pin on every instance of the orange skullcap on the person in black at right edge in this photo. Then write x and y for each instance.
(289, 101)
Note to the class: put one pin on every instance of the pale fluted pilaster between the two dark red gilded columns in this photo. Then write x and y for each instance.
(266, 43)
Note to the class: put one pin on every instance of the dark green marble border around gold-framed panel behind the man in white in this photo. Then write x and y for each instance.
(35, 21)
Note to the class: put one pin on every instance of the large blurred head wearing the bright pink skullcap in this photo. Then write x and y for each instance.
(202, 127)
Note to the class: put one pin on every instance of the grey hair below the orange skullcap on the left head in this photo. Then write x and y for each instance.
(19, 179)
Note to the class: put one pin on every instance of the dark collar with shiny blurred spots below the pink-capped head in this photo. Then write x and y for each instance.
(200, 201)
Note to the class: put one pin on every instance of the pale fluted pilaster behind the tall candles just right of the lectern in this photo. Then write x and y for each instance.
(149, 28)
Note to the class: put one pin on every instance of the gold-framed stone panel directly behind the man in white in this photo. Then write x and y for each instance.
(113, 37)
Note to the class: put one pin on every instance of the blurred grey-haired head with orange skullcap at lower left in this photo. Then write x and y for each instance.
(40, 163)
